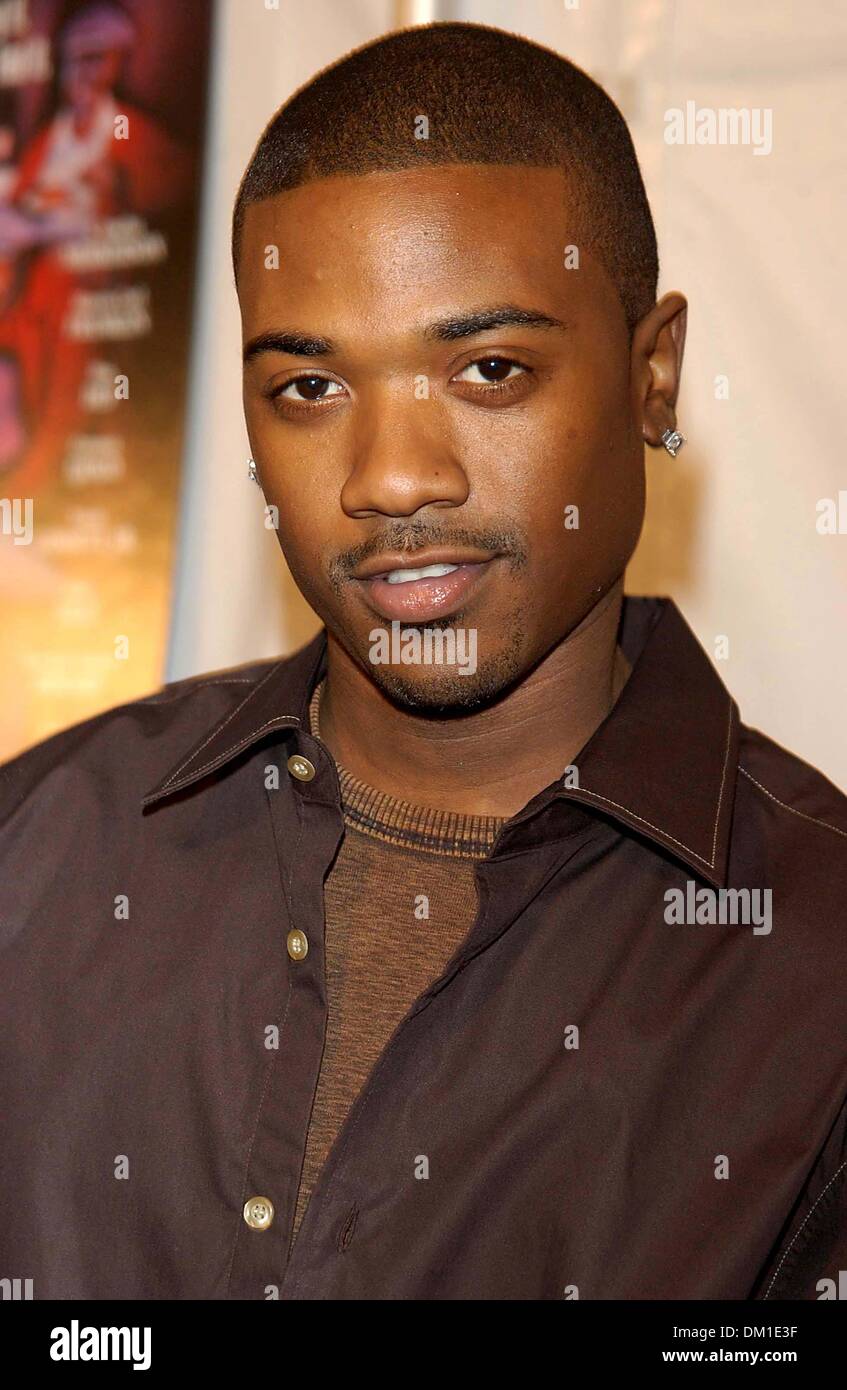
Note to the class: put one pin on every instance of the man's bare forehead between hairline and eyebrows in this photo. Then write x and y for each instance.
(383, 245)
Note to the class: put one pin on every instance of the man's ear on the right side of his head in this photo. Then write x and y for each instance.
(657, 363)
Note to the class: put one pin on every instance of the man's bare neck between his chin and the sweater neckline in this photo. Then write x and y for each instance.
(490, 762)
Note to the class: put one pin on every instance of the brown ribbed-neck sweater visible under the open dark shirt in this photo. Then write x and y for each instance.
(398, 901)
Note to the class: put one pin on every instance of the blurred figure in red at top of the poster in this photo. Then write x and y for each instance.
(98, 156)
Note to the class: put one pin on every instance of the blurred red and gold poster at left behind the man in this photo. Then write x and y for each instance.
(102, 133)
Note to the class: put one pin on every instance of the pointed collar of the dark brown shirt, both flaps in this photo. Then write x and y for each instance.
(664, 762)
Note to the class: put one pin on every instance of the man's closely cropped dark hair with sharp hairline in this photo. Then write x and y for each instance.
(490, 98)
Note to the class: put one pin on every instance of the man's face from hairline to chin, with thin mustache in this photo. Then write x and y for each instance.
(415, 436)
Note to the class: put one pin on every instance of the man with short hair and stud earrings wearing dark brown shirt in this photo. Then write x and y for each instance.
(478, 950)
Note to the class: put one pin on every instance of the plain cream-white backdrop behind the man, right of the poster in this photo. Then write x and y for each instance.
(755, 241)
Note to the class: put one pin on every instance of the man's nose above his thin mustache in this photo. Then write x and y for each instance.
(403, 458)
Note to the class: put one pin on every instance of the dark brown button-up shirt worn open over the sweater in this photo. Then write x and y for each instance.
(627, 1082)
